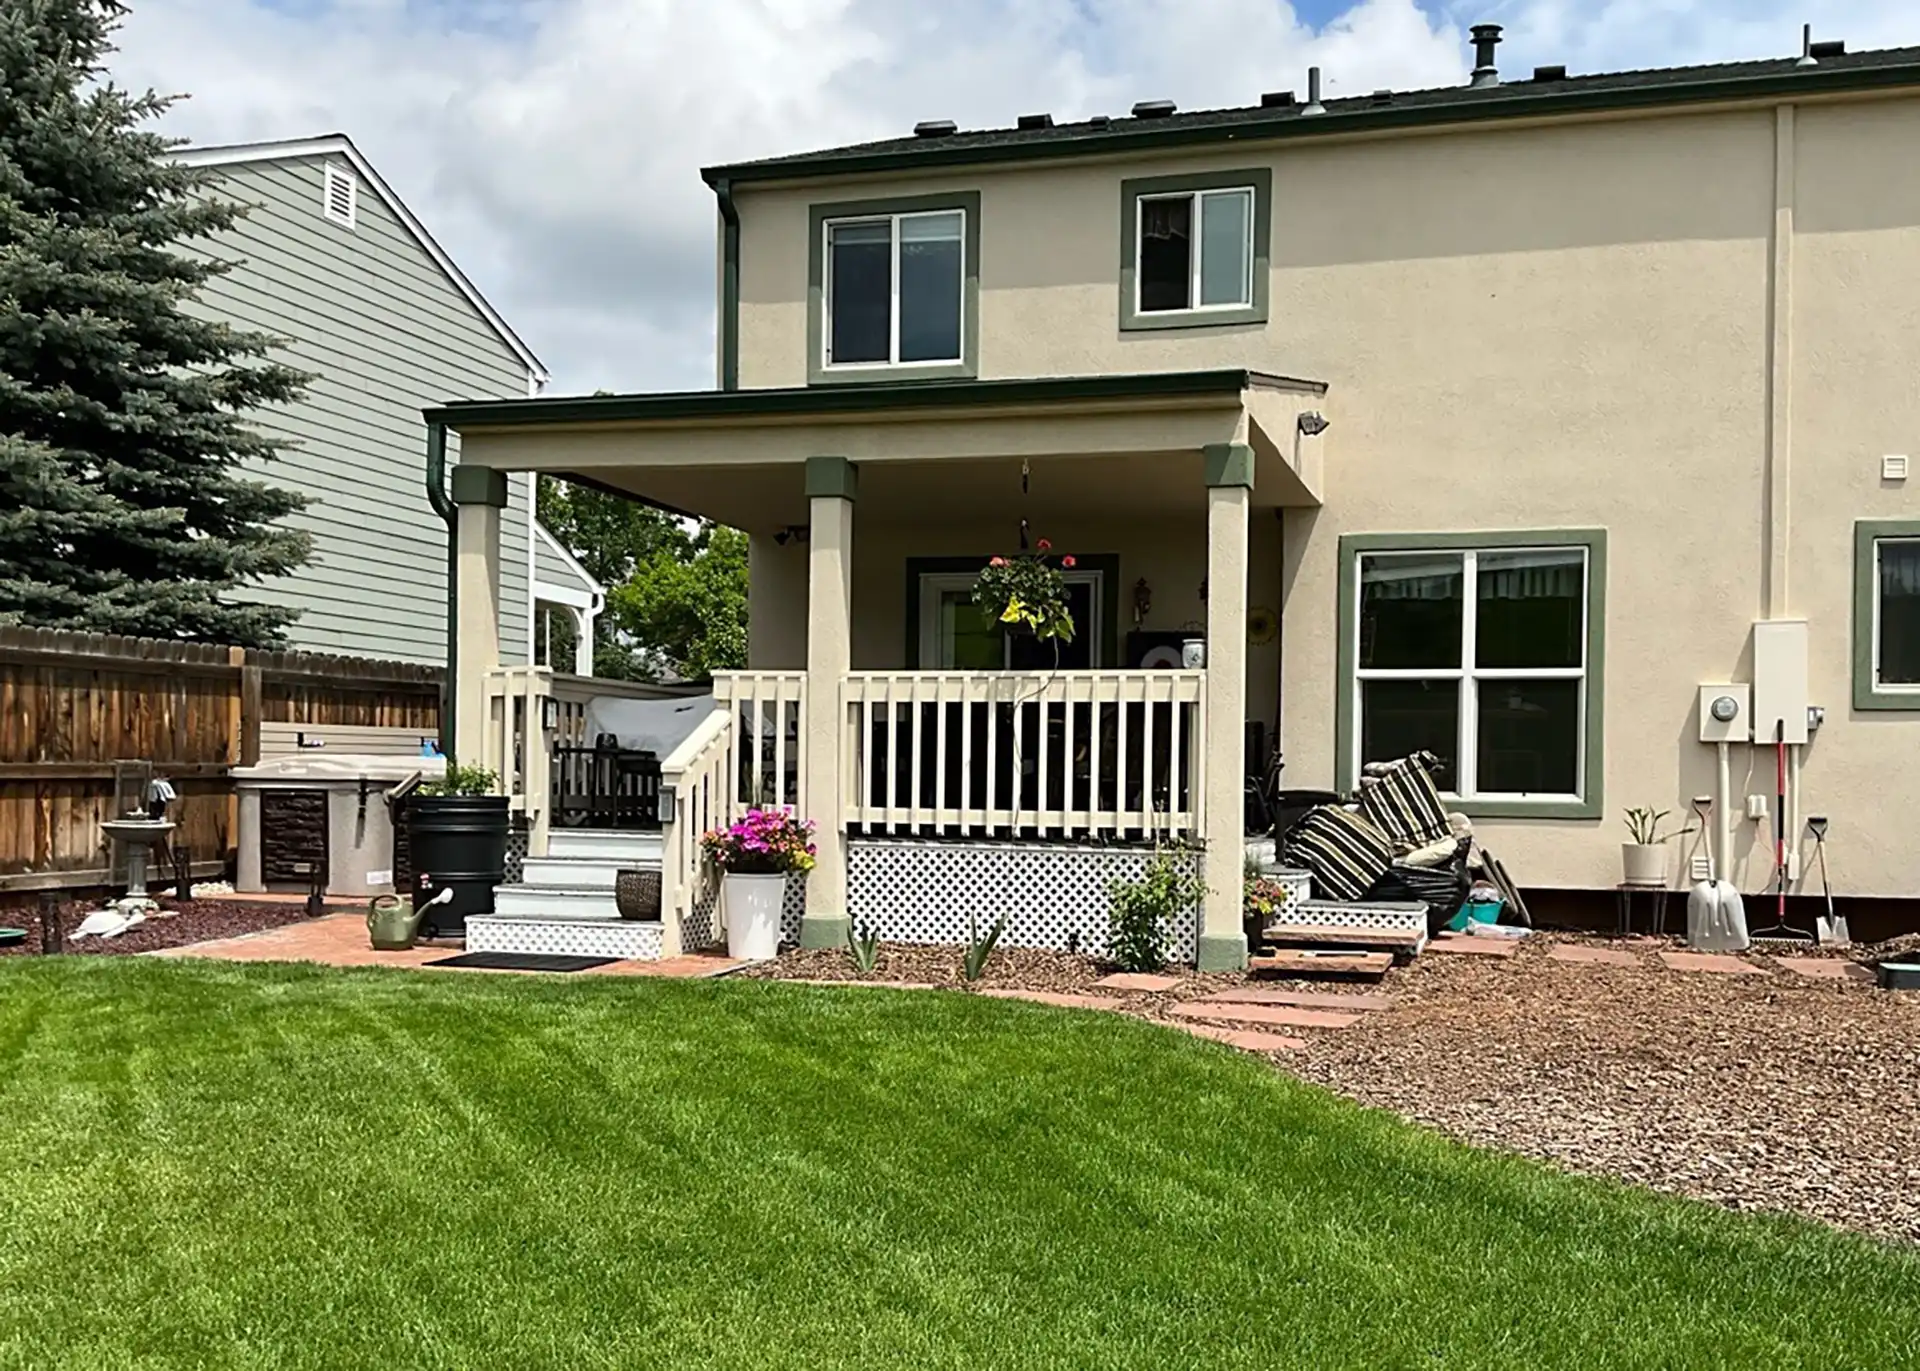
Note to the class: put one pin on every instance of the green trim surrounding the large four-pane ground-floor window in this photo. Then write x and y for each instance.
(1591, 804)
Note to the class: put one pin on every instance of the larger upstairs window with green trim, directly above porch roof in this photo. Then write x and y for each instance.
(896, 289)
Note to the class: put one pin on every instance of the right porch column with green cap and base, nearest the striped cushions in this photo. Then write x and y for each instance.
(1230, 477)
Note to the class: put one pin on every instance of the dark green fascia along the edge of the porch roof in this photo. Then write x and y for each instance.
(857, 400)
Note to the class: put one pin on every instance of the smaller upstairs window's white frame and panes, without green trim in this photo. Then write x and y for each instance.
(1195, 251)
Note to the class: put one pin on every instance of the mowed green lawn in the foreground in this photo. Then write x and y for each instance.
(270, 1167)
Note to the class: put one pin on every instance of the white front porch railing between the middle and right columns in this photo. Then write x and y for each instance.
(1024, 754)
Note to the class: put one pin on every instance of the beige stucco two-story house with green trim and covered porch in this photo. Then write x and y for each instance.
(1497, 421)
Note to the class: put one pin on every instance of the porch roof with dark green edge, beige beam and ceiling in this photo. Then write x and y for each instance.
(738, 456)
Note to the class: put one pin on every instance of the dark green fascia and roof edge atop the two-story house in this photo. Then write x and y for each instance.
(1464, 107)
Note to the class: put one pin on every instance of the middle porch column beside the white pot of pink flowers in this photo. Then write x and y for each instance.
(830, 493)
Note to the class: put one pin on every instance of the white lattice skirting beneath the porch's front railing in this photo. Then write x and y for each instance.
(1053, 896)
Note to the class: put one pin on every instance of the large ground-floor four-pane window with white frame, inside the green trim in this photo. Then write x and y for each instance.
(1481, 658)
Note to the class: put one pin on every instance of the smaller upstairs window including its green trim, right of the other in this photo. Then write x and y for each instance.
(1195, 251)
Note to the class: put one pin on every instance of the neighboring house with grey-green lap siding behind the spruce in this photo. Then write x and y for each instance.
(387, 324)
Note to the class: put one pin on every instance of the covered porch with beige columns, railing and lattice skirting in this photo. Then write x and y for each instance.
(878, 702)
